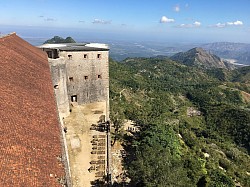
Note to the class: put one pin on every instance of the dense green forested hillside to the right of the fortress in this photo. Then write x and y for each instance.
(194, 123)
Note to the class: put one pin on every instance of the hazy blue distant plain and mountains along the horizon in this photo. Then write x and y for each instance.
(120, 50)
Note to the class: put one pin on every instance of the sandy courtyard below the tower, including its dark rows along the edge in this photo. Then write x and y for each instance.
(86, 146)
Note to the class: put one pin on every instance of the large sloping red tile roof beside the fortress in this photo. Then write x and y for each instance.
(29, 128)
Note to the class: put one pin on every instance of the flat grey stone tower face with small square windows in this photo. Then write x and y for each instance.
(87, 75)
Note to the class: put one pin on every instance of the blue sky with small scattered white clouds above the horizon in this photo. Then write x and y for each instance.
(149, 20)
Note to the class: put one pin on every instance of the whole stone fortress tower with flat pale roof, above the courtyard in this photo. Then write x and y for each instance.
(79, 73)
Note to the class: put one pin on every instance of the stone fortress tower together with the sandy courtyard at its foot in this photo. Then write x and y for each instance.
(80, 76)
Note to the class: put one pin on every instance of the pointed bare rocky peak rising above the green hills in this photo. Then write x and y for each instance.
(199, 57)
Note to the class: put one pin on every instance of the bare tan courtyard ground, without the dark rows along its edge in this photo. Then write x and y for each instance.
(79, 137)
